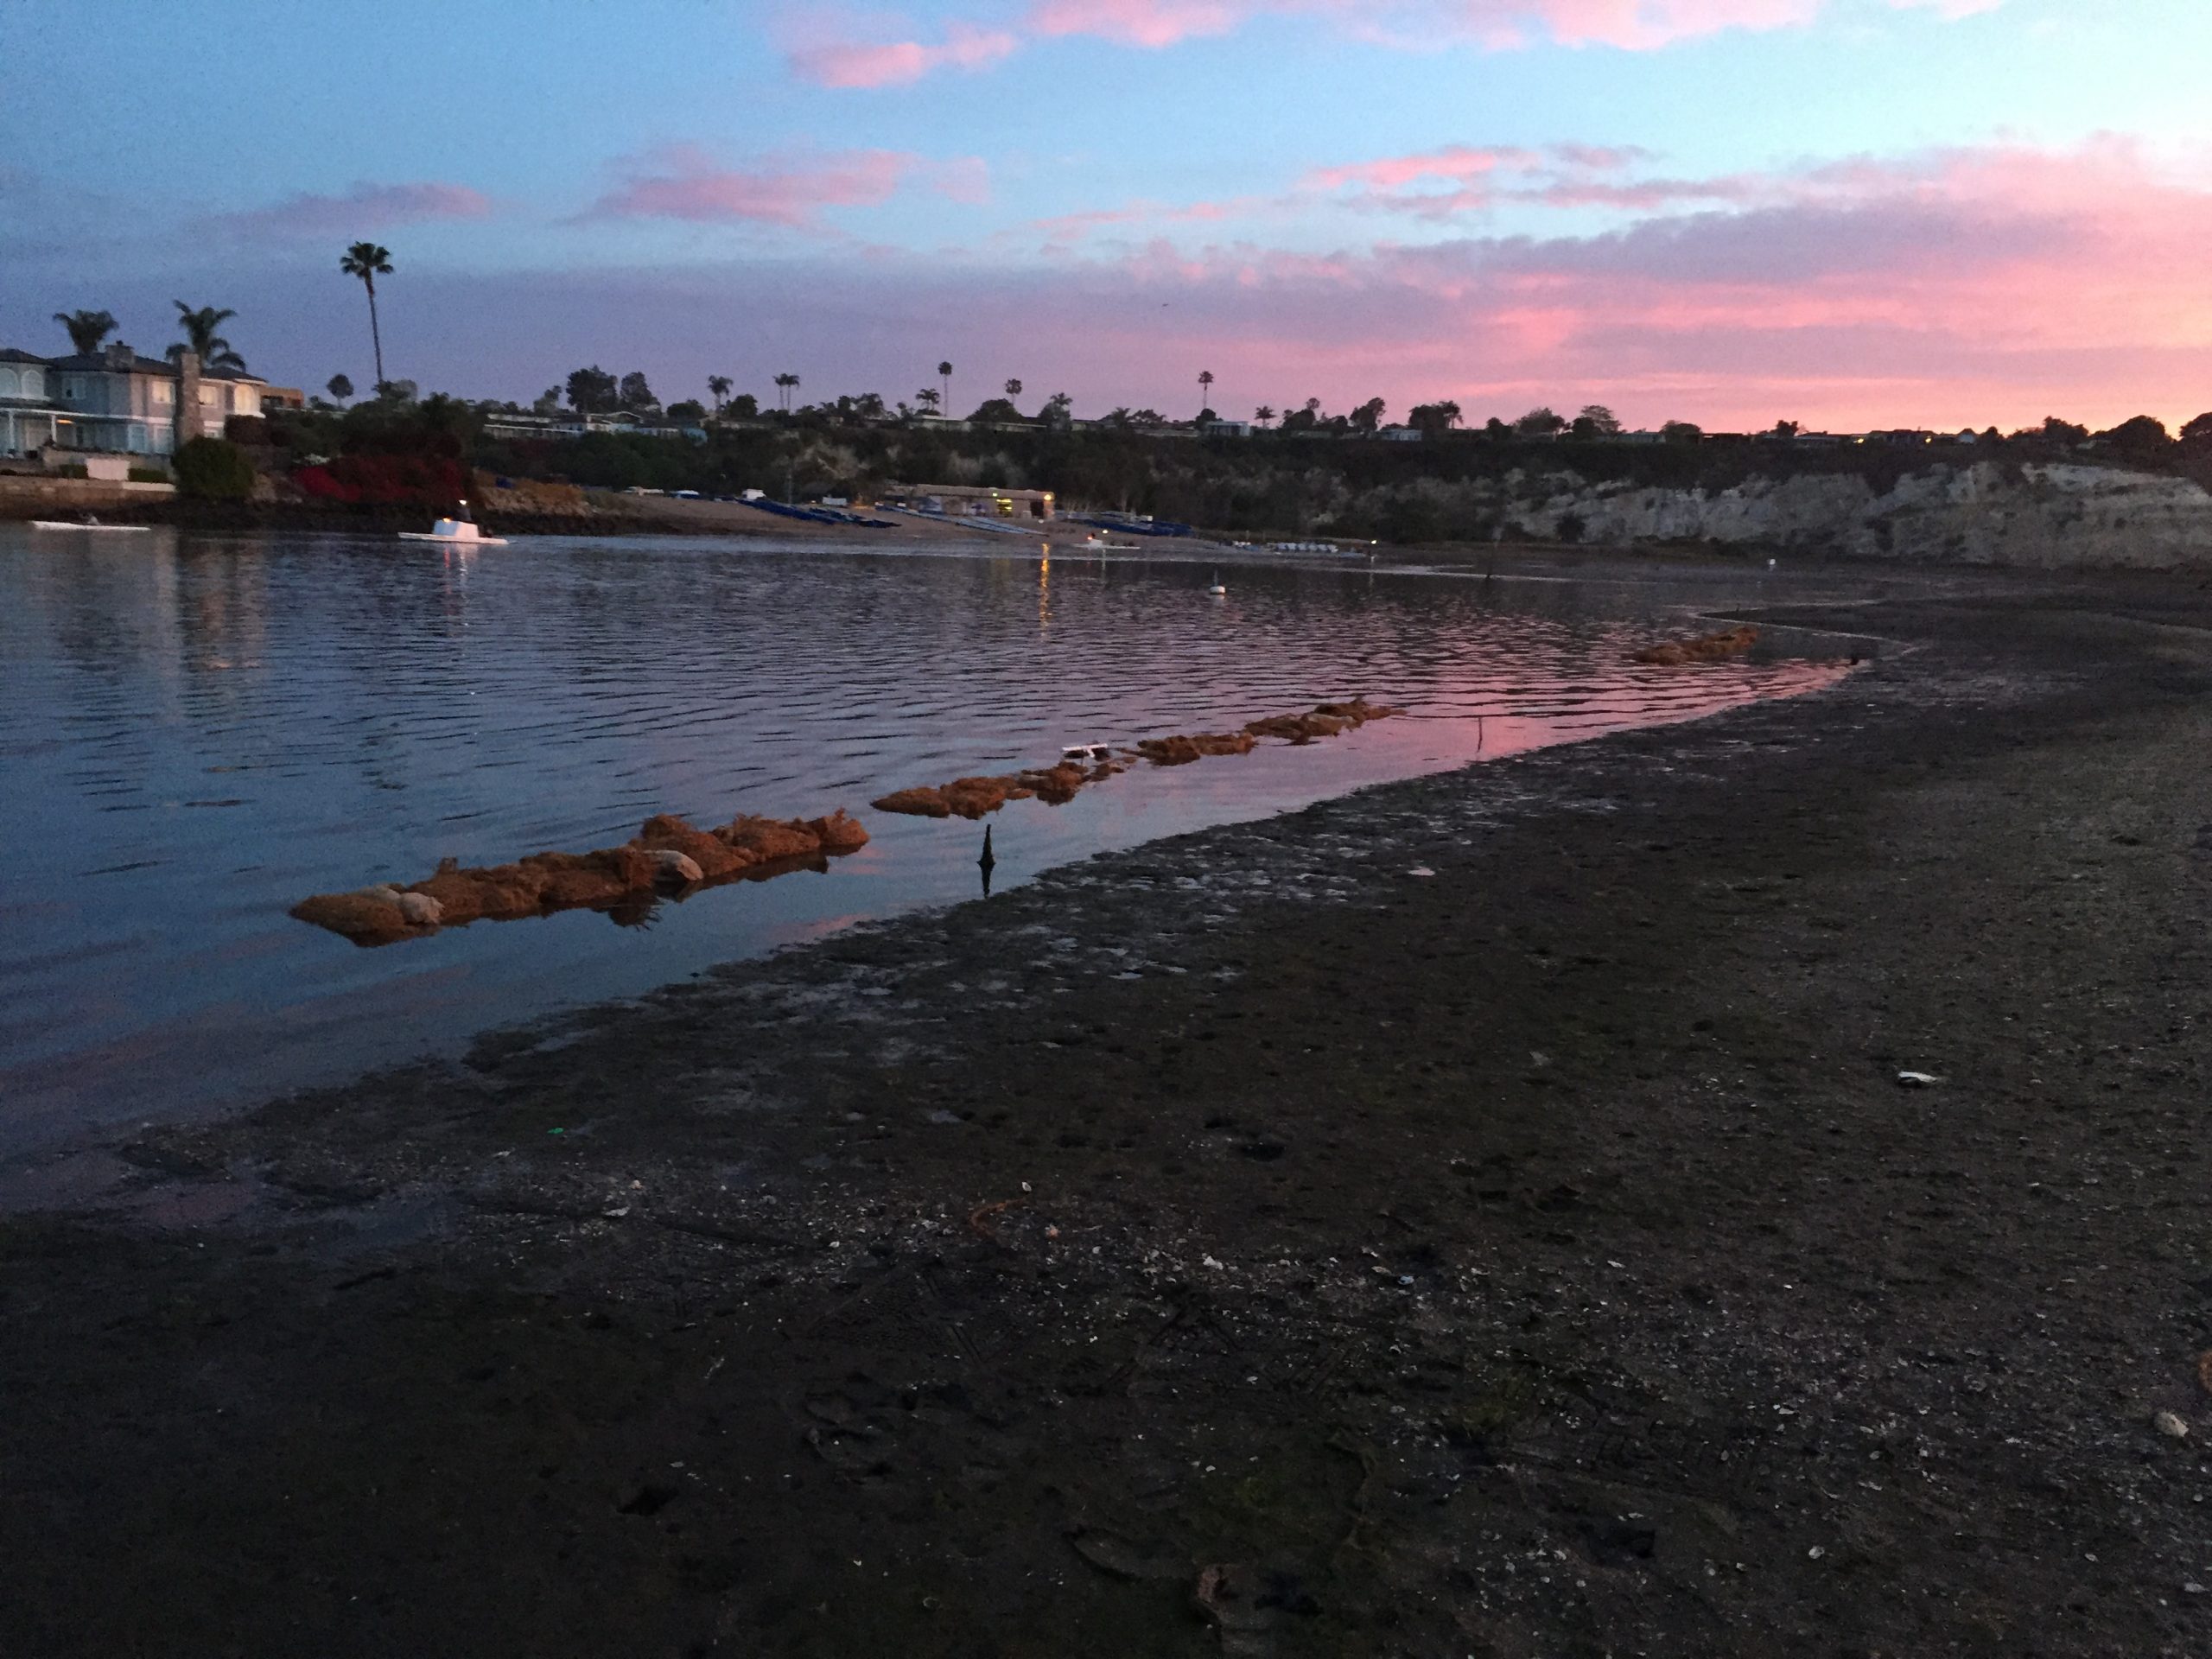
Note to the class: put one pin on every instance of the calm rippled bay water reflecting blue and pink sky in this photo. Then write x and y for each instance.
(200, 731)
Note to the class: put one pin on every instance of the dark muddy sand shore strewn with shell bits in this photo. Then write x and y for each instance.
(1251, 1246)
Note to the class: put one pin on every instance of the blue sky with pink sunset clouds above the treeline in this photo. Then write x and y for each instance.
(1848, 213)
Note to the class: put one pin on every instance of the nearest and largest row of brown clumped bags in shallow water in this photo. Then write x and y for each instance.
(667, 855)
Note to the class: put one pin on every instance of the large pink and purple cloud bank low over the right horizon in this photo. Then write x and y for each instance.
(1943, 289)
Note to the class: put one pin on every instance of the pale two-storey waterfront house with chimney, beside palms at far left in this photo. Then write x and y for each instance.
(116, 404)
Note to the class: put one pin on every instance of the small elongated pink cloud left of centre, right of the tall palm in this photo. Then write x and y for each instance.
(780, 191)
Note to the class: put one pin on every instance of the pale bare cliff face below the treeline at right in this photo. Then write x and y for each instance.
(1983, 514)
